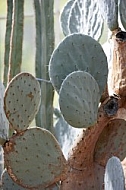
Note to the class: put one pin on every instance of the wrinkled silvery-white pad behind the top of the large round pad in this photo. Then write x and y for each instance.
(85, 18)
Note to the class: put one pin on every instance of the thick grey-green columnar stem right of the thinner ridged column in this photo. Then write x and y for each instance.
(44, 47)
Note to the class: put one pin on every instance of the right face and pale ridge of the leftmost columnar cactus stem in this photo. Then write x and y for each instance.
(15, 58)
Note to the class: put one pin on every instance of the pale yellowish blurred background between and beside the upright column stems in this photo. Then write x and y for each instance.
(28, 59)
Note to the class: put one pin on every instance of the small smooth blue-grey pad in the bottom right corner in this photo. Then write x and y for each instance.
(114, 175)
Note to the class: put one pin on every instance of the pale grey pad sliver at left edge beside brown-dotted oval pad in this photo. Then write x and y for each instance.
(4, 124)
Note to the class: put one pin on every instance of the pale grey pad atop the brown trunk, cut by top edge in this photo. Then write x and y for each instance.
(109, 11)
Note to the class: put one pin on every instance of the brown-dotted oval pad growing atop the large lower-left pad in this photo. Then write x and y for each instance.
(22, 100)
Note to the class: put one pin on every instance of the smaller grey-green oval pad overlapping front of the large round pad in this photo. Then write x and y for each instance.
(79, 98)
